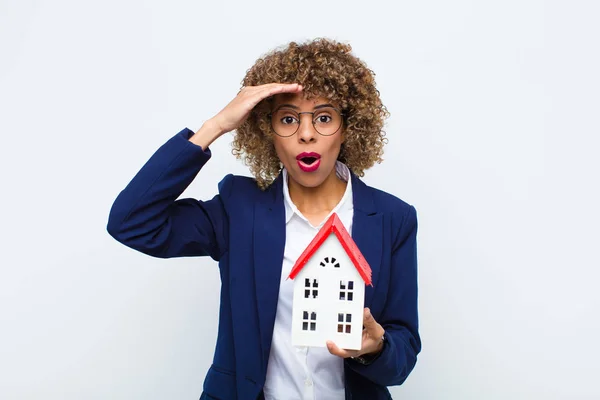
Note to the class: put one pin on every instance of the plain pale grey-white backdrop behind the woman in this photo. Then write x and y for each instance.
(493, 137)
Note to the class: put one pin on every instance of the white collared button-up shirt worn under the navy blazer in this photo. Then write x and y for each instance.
(303, 373)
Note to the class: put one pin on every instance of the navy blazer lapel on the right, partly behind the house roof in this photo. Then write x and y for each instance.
(367, 231)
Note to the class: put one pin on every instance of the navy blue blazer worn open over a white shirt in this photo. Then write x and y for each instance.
(243, 228)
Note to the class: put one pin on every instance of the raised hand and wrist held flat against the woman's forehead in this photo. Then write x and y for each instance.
(238, 109)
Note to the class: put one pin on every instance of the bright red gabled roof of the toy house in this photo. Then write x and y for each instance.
(334, 224)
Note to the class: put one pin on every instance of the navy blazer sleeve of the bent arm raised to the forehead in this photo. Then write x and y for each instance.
(146, 215)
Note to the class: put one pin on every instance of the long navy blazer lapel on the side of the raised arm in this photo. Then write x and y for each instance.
(269, 244)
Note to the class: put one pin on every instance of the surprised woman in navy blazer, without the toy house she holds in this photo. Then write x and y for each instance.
(308, 122)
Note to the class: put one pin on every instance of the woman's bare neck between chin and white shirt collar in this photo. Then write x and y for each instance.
(319, 199)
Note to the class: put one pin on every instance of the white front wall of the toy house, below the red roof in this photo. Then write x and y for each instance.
(328, 305)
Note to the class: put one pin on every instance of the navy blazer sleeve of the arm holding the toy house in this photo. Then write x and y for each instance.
(399, 317)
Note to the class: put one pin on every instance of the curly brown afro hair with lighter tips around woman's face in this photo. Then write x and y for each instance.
(325, 68)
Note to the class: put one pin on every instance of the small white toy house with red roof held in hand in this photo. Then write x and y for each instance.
(329, 290)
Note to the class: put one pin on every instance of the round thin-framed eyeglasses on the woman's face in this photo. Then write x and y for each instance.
(285, 121)
